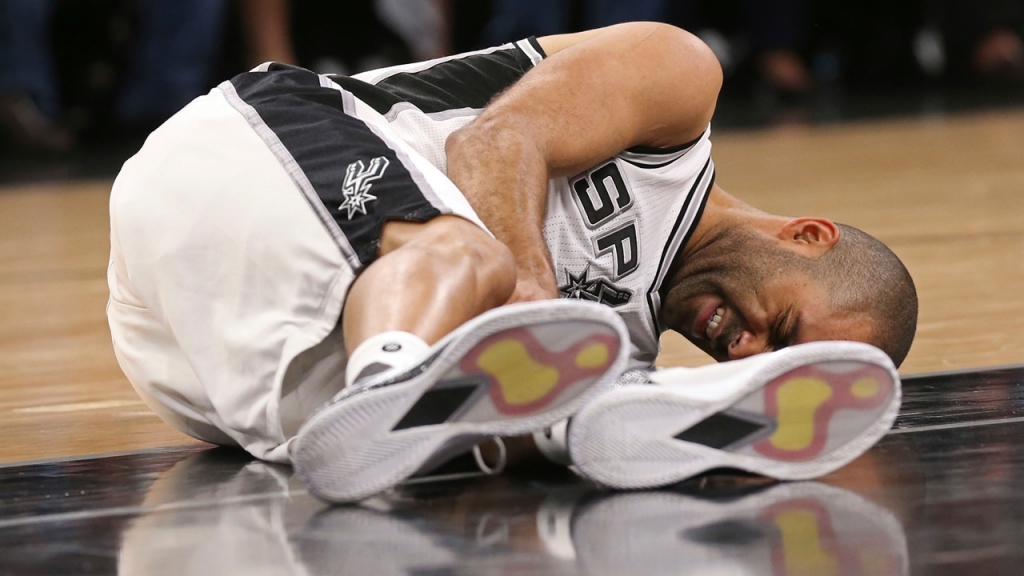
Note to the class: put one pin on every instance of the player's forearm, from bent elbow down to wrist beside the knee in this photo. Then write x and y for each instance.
(505, 178)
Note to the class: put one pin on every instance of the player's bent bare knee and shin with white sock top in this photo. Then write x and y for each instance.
(430, 279)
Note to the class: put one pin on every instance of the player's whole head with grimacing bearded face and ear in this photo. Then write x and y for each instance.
(766, 294)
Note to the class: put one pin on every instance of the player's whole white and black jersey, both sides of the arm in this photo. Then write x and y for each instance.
(613, 231)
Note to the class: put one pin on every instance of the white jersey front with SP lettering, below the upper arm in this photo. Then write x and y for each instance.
(615, 230)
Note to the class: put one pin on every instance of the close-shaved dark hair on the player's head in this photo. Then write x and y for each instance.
(863, 274)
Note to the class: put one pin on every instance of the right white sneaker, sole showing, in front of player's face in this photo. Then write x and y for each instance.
(793, 415)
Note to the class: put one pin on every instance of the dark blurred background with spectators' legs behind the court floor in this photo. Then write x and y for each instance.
(83, 81)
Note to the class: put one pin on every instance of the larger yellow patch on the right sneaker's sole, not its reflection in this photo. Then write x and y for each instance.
(799, 399)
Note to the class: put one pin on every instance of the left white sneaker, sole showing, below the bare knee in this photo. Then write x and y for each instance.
(510, 372)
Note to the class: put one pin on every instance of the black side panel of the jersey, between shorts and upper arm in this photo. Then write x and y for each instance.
(472, 81)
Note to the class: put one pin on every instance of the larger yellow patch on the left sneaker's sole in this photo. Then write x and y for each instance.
(521, 379)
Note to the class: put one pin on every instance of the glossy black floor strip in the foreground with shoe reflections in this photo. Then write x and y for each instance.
(942, 495)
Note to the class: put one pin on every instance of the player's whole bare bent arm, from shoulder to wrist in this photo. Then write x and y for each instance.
(599, 93)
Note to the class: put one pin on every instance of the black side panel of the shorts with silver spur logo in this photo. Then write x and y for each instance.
(358, 177)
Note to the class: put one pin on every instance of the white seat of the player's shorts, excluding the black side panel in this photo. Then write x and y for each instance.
(228, 286)
